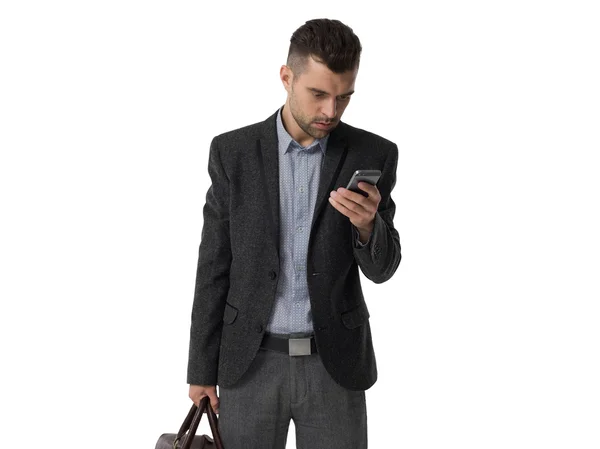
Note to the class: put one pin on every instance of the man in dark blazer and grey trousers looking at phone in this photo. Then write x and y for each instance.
(279, 321)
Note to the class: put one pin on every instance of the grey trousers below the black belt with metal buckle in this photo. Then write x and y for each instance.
(255, 413)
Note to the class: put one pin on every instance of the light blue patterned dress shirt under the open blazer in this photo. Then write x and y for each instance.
(299, 174)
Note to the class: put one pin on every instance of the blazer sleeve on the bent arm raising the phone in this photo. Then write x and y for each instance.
(379, 259)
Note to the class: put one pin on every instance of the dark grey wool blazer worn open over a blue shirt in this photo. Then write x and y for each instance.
(238, 264)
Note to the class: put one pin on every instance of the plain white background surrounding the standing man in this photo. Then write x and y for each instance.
(488, 334)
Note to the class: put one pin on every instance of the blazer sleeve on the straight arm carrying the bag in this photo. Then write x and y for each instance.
(212, 277)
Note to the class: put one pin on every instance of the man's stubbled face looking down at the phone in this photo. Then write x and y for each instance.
(317, 99)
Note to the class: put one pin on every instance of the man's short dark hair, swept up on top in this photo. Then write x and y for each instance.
(329, 42)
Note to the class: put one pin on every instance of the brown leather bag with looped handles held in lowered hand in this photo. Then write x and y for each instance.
(186, 437)
